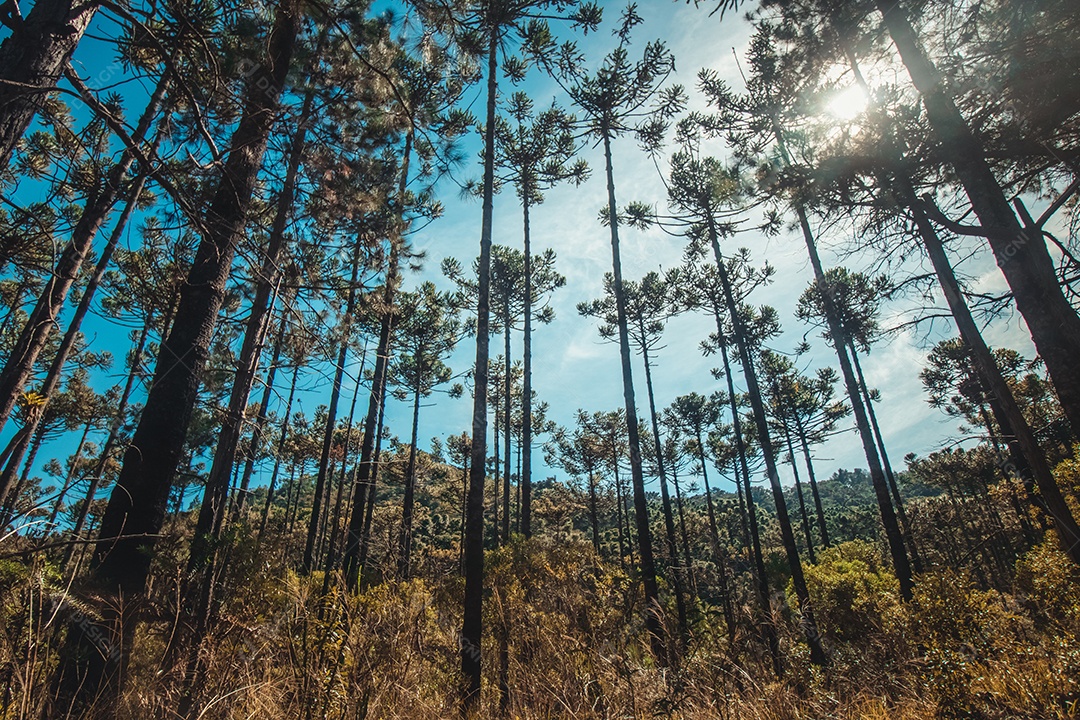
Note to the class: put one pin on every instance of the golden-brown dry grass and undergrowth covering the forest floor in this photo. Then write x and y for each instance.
(576, 649)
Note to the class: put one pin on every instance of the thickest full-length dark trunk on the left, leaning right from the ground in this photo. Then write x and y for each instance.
(138, 506)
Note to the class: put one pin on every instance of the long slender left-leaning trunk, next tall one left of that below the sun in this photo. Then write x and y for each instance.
(795, 565)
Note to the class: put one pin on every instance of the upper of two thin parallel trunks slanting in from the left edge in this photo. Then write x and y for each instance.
(35, 335)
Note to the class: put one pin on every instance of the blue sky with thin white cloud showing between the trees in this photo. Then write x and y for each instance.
(573, 368)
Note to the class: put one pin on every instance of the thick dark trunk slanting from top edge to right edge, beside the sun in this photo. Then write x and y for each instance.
(1020, 250)
